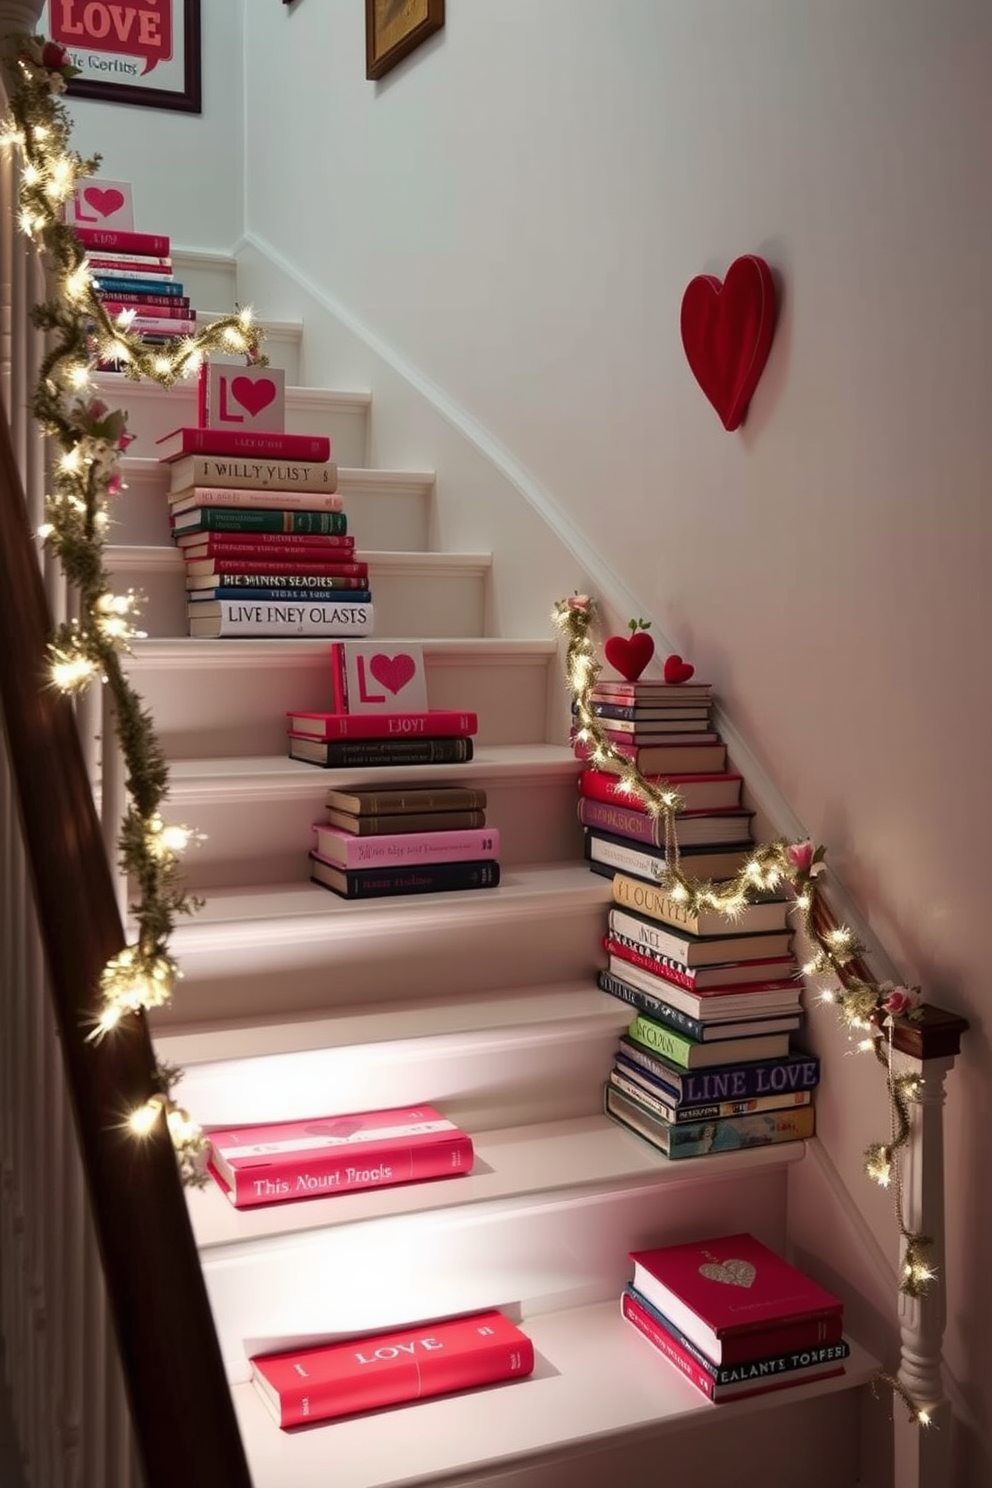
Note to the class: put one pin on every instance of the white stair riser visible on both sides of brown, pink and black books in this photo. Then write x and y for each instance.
(265, 838)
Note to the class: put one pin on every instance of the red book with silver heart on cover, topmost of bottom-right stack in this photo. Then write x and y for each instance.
(737, 1300)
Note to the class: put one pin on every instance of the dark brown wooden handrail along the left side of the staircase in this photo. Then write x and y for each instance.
(182, 1408)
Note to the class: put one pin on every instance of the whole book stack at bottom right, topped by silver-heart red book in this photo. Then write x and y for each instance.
(734, 1318)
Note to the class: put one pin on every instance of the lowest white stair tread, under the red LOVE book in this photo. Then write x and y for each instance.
(596, 1379)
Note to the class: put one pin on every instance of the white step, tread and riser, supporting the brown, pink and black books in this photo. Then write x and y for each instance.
(292, 950)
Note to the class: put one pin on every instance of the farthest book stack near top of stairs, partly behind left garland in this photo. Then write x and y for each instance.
(133, 275)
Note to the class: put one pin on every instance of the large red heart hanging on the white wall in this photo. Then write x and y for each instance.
(728, 334)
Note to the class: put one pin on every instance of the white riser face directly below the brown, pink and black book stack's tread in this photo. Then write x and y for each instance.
(338, 968)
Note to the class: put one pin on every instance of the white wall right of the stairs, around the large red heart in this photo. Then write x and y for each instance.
(518, 209)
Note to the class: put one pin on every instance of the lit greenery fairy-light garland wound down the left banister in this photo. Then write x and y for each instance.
(90, 440)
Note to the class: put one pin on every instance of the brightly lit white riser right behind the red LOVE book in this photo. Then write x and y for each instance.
(538, 1254)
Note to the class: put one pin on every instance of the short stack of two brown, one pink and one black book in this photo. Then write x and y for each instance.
(407, 841)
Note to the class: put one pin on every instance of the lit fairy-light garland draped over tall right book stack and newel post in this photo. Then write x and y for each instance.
(866, 1008)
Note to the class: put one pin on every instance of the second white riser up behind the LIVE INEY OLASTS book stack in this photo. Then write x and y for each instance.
(387, 510)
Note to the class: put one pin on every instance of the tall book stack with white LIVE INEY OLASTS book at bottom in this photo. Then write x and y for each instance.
(264, 535)
